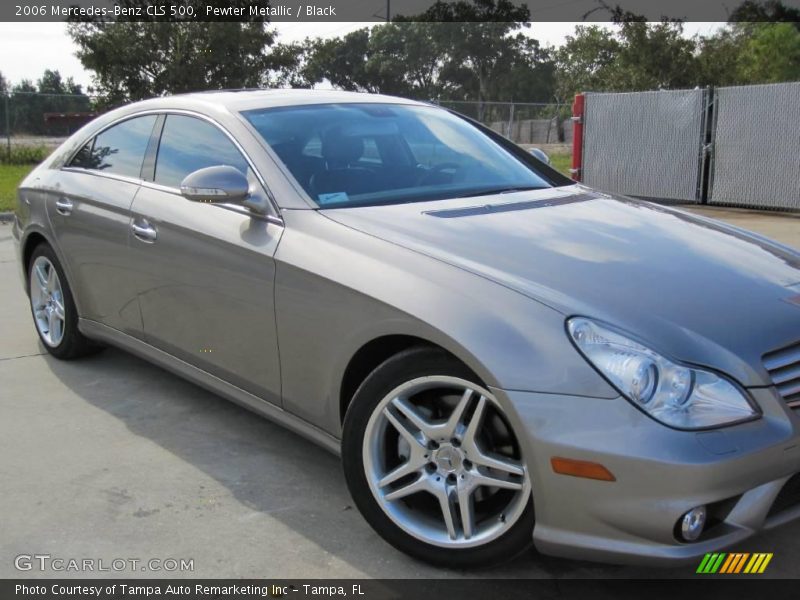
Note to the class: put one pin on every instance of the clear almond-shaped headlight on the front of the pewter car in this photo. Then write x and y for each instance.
(678, 396)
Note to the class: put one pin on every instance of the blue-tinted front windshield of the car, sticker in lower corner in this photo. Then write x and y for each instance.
(368, 154)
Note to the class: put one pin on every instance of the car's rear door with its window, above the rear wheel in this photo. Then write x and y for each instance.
(89, 209)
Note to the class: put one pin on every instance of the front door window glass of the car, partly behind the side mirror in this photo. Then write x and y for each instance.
(188, 144)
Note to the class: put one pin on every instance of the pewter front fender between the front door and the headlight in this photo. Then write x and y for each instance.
(338, 289)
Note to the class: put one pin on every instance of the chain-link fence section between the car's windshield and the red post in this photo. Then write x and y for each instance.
(525, 123)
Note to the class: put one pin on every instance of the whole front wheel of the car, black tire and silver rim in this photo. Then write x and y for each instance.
(433, 464)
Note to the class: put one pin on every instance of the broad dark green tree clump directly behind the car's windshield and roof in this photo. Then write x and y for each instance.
(434, 60)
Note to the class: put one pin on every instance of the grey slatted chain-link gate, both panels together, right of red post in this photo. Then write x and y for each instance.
(728, 146)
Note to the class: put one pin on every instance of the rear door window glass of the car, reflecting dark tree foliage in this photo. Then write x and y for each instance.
(119, 149)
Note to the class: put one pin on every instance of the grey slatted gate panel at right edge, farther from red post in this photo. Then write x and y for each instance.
(756, 160)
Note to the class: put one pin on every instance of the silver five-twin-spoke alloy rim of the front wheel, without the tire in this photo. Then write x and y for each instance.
(444, 464)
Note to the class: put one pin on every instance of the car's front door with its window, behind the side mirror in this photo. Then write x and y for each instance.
(206, 272)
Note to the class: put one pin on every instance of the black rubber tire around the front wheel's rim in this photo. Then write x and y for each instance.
(407, 365)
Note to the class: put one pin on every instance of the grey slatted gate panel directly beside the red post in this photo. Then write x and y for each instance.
(647, 144)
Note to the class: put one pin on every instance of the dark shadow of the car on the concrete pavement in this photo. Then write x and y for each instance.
(271, 470)
